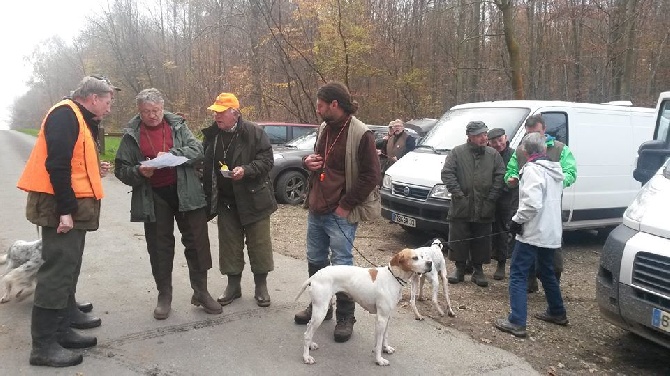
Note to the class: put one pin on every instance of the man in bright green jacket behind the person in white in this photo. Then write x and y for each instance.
(556, 152)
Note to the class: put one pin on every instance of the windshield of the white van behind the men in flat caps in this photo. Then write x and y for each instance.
(449, 131)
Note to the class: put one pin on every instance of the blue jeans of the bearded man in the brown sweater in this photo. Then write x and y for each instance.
(329, 234)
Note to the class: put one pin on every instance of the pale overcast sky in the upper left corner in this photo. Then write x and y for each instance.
(23, 25)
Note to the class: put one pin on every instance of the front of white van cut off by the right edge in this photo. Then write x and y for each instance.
(633, 282)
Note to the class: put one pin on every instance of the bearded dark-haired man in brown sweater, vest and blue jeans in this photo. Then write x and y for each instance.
(344, 173)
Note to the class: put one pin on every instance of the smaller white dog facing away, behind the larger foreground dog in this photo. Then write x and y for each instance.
(435, 275)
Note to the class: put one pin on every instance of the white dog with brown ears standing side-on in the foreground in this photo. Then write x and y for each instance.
(377, 290)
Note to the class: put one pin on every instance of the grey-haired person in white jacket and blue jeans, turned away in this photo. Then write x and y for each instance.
(538, 228)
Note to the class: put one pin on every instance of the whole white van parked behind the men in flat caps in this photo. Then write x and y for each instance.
(604, 139)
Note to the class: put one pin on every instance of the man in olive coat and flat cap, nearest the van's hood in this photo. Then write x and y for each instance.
(473, 174)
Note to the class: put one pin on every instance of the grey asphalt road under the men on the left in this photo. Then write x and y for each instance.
(244, 340)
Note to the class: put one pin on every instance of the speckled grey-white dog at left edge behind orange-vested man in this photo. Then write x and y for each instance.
(23, 260)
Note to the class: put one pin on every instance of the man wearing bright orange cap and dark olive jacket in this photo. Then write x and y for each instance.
(238, 159)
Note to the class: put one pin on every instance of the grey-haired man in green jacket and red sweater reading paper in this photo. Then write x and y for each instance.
(162, 196)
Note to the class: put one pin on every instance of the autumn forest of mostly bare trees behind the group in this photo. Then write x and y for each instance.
(400, 59)
